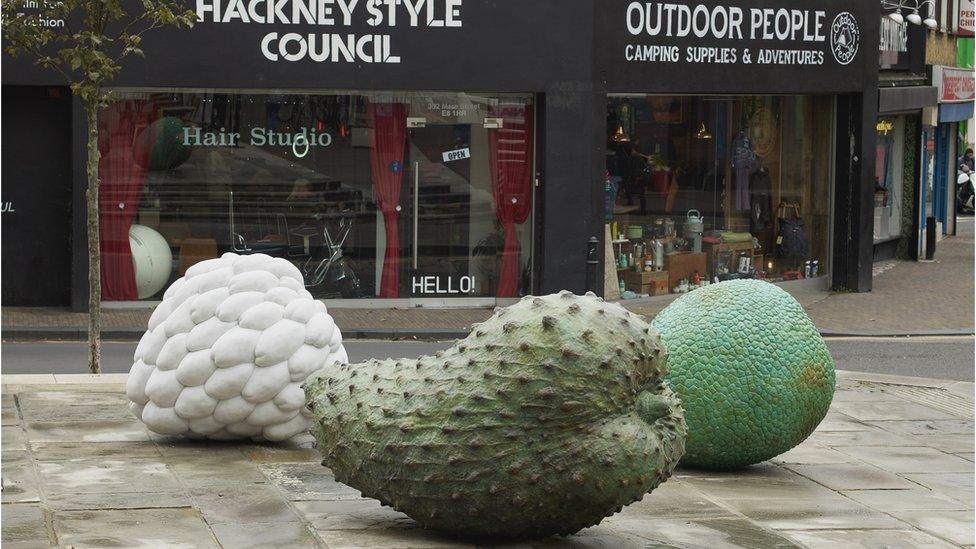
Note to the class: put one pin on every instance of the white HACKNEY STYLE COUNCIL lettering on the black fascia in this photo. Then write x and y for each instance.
(332, 47)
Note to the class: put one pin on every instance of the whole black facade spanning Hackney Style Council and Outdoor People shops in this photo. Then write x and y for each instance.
(457, 152)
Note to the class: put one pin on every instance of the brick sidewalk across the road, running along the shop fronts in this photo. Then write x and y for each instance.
(909, 298)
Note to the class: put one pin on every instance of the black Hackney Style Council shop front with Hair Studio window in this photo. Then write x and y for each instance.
(403, 156)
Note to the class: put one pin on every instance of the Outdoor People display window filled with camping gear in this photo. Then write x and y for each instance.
(704, 189)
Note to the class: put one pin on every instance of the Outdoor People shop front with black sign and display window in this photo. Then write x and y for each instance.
(736, 143)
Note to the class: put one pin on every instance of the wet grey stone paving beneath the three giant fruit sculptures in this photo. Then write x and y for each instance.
(890, 466)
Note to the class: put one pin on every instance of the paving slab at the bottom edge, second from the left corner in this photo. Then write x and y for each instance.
(182, 527)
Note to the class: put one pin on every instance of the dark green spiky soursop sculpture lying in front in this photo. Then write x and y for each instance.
(548, 417)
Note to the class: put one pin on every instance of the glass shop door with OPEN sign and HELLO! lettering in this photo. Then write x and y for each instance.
(469, 178)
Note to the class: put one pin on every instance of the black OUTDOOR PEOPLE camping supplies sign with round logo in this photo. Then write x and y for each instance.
(728, 41)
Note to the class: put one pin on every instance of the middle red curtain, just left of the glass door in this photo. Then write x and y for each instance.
(387, 142)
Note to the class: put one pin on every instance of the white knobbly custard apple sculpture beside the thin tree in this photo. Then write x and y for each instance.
(228, 349)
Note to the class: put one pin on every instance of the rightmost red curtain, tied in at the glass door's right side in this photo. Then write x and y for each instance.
(511, 183)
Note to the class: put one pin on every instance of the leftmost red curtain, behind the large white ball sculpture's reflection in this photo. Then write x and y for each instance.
(122, 175)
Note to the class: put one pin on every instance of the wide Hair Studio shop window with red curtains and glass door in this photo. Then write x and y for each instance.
(389, 195)
